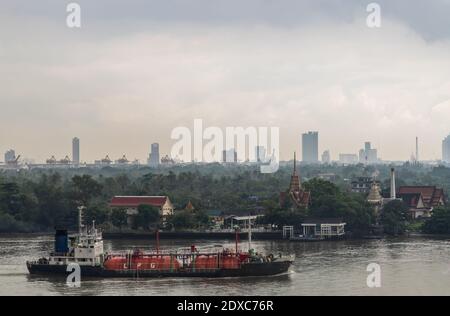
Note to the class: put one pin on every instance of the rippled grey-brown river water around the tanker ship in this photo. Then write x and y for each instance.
(409, 266)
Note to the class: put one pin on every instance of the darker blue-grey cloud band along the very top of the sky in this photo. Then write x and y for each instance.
(431, 19)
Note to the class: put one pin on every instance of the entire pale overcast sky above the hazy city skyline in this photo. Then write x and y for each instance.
(137, 69)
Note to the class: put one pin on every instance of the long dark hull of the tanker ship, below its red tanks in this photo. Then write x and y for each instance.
(248, 269)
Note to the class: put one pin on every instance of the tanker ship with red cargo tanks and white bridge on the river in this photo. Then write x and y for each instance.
(86, 250)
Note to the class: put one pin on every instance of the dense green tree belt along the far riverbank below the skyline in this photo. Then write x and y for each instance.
(37, 200)
